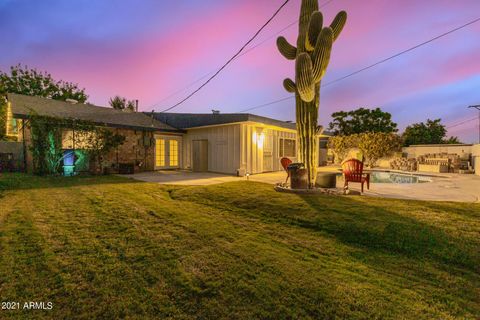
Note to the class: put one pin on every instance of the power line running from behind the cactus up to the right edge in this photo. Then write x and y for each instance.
(372, 65)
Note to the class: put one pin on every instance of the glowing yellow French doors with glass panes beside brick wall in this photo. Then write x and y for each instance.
(167, 152)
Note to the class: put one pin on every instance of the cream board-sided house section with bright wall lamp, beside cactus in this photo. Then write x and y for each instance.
(236, 143)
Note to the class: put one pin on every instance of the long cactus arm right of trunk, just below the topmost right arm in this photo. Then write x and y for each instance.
(321, 54)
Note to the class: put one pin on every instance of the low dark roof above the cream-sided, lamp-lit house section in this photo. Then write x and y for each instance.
(194, 120)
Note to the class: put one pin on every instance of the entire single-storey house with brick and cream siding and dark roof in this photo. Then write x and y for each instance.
(237, 143)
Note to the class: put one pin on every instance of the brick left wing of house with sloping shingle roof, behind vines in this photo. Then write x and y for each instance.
(138, 152)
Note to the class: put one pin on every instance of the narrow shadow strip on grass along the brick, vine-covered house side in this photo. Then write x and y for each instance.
(22, 181)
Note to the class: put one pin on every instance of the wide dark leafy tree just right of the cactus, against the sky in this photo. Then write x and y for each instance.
(362, 120)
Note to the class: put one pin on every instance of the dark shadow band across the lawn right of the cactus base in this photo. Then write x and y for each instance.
(379, 229)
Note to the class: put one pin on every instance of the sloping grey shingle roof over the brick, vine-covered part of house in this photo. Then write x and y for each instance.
(22, 106)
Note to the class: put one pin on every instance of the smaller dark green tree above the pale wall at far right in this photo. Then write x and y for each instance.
(430, 132)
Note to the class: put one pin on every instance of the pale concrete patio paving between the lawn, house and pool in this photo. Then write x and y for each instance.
(444, 187)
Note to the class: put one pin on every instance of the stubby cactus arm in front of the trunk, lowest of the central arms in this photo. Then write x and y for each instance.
(304, 77)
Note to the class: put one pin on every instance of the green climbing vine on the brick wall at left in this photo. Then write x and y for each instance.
(47, 138)
